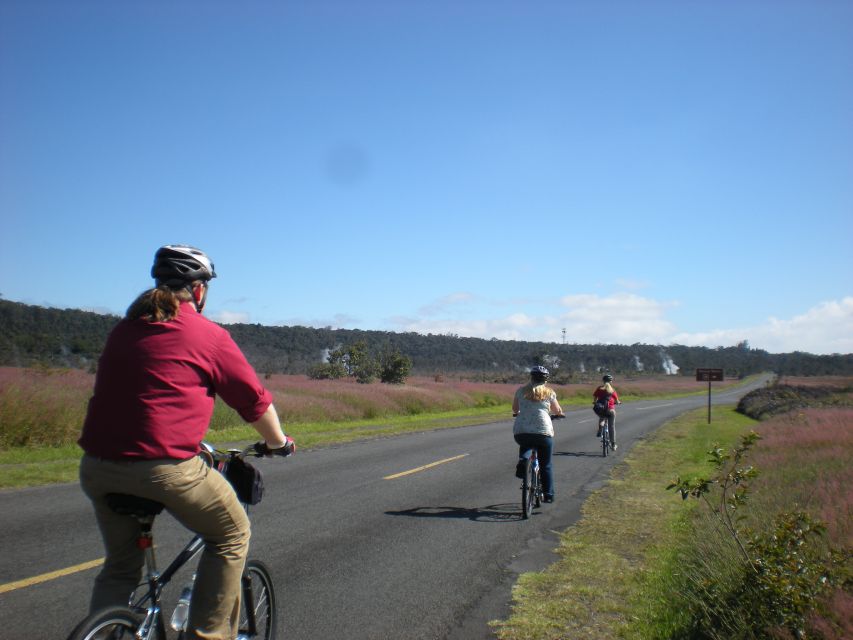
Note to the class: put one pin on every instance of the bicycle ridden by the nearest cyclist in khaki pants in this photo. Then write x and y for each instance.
(142, 618)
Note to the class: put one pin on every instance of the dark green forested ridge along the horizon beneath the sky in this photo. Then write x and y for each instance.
(40, 336)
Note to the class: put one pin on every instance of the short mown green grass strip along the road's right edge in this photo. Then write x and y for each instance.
(621, 557)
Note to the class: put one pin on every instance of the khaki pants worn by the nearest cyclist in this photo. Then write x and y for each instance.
(200, 499)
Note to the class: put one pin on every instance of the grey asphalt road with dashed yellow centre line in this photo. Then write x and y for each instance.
(355, 554)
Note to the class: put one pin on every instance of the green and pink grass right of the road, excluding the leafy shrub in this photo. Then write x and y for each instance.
(641, 560)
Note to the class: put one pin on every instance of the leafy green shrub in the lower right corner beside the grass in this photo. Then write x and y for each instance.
(779, 577)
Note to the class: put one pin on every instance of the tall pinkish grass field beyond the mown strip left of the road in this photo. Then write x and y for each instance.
(40, 406)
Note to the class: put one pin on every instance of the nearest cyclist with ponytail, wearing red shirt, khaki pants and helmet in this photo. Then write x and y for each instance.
(157, 380)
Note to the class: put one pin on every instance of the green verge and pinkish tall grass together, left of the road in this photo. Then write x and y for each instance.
(41, 411)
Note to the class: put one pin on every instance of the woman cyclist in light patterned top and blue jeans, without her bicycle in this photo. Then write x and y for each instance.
(533, 406)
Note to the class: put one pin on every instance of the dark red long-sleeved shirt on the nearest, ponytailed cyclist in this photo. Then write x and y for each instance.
(157, 383)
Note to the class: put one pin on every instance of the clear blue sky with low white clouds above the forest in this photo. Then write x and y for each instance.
(657, 172)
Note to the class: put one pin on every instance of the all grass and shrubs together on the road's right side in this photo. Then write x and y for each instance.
(760, 546)
